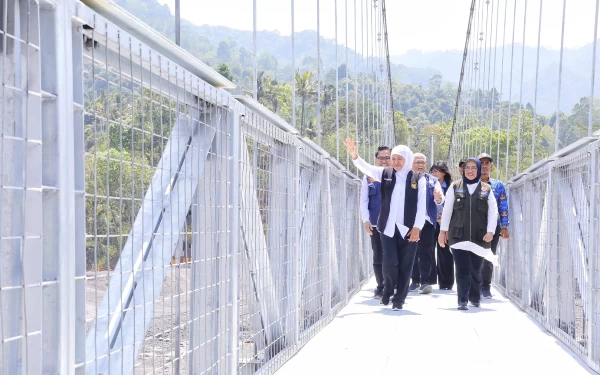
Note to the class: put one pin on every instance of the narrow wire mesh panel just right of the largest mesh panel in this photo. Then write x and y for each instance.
(268, 316)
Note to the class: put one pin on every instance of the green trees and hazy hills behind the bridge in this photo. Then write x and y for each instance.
(127, 126)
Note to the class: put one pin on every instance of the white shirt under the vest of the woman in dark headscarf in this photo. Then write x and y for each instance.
(492, 222)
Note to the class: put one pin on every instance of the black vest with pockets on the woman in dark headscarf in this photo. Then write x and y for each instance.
(469, 216)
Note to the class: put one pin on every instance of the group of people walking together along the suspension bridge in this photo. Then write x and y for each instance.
(409, 213)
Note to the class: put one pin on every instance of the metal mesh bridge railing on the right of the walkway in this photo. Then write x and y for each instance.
(549, 265)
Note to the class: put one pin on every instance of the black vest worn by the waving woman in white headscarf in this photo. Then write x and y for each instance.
(411, 196)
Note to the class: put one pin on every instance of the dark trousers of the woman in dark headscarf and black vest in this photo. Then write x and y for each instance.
(468, 275)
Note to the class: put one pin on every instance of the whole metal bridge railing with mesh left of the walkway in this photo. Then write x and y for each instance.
(151, 222)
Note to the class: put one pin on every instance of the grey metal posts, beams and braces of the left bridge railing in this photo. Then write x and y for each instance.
(208, 134)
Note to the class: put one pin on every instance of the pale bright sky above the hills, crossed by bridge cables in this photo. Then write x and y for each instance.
(426, 25)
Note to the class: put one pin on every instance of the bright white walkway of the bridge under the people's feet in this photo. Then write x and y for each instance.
(432, 337)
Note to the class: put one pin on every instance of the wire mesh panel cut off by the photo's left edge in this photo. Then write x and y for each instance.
(26, 286)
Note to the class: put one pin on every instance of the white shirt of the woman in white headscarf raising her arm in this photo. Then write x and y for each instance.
(396, 217)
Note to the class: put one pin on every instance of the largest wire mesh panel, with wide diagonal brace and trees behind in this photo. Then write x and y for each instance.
(156, 175)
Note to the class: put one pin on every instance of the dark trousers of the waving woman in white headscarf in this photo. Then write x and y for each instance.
(398, 260)
